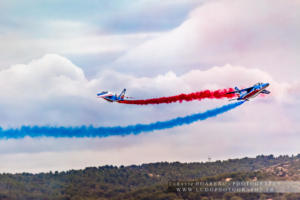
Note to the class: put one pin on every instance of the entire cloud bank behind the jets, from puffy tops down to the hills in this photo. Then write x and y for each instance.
(53, 91)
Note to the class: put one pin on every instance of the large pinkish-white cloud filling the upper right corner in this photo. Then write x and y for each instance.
(248, 33)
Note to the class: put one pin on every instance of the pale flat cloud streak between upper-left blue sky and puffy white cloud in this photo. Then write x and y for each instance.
(68, 38)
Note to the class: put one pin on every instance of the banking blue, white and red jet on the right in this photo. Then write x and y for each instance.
(251, 92)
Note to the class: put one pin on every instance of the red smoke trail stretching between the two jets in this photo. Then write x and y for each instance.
(206, 94)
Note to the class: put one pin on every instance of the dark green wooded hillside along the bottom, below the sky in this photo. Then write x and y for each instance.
(147, 181)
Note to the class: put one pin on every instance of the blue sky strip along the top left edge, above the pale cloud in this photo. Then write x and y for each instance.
(120, 16)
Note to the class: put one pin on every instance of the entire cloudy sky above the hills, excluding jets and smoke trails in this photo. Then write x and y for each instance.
(56, 55)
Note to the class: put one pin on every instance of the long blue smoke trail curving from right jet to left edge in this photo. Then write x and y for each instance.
(90, 131)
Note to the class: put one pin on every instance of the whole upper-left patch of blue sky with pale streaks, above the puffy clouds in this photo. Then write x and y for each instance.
(34, 23)
